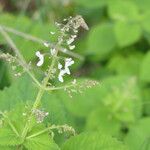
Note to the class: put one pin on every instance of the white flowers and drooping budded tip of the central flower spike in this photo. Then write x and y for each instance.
(68, 31)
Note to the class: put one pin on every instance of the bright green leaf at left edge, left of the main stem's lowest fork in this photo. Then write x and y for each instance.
(8, 137)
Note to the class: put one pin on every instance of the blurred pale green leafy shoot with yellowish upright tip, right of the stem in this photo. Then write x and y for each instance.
(124, 101)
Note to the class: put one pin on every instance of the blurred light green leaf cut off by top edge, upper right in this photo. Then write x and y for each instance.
(123, 10)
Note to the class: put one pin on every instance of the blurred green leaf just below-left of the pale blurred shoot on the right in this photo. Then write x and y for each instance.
(101, 120)
